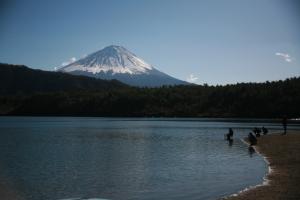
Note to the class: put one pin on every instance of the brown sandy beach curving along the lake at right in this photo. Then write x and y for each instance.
(283, 153)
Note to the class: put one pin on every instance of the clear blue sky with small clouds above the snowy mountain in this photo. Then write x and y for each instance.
(205, 41)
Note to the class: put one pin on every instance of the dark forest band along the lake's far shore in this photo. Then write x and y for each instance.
(258, 100)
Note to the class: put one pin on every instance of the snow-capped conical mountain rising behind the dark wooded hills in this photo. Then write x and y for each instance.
(116, 62)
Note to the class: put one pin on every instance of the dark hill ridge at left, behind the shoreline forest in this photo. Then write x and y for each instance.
(21, 79)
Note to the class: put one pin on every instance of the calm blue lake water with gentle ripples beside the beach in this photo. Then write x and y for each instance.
(51, 158)
